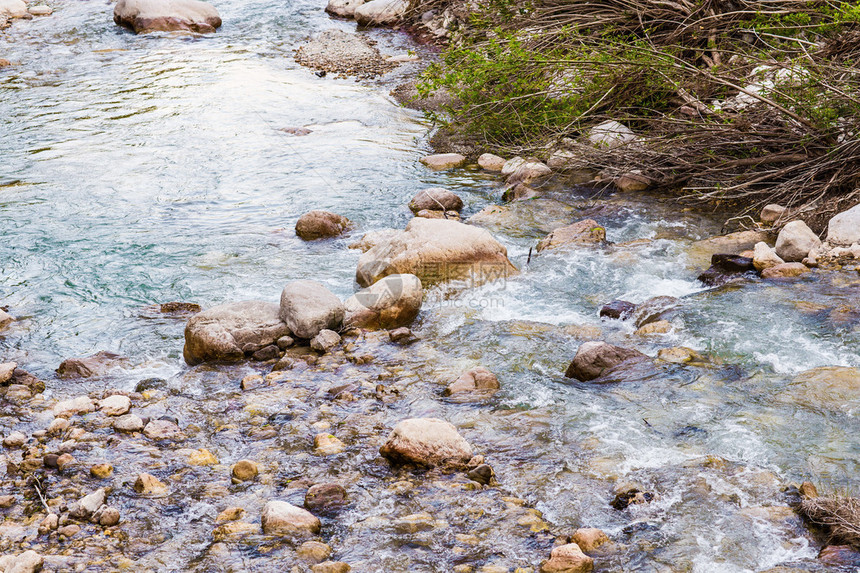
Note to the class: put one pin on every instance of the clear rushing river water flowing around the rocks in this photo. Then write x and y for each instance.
(137, 170)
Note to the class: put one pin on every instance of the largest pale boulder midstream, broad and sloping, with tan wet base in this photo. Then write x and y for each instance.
(436, 250)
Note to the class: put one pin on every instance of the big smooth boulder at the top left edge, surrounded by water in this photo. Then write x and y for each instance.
(142, 16)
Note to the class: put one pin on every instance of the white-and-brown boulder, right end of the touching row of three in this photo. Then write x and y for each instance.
(391, 302)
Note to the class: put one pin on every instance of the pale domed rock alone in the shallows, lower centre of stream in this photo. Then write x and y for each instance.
(426, 441)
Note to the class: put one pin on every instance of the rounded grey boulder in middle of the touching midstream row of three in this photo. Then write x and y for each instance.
(307, 307)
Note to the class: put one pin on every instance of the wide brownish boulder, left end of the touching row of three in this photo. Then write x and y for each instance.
(227, 331)
